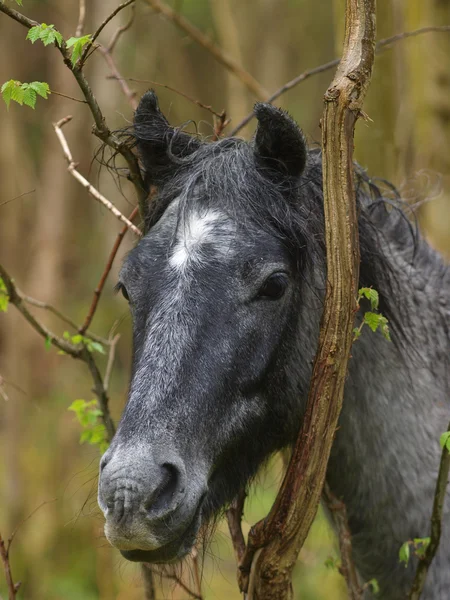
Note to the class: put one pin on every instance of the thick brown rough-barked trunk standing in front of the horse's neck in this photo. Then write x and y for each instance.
(283, 532)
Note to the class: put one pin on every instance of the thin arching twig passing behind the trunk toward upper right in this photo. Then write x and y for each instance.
(380, 46)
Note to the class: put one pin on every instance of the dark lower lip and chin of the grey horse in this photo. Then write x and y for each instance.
(174, 550)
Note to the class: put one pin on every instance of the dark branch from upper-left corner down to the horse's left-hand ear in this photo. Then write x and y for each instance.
(101, 130)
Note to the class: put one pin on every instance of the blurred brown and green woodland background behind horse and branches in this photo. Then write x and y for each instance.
(55, 241)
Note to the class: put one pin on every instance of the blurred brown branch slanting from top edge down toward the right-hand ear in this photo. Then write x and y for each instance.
(218, 53)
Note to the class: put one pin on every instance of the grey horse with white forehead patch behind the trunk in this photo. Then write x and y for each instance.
(226, 292)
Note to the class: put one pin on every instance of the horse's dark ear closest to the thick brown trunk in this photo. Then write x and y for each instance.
(279, 142)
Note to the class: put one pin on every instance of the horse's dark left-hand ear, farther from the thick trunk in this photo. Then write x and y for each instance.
(158, 143)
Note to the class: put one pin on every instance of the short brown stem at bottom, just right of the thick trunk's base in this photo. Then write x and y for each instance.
(348, 569)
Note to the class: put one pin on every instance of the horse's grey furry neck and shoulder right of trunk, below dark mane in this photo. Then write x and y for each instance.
(386, 452)
